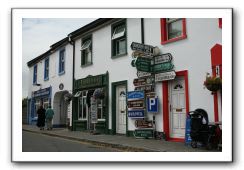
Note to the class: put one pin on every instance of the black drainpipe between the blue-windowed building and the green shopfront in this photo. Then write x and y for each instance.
(73, 77)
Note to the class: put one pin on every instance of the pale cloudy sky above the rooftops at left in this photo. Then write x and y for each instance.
(37, 36)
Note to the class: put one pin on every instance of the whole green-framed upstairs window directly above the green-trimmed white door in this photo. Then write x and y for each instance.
(119, 43)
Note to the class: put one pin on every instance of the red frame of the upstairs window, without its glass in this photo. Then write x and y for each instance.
(164, 31)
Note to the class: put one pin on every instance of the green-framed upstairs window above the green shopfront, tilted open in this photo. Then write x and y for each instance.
(86, 52)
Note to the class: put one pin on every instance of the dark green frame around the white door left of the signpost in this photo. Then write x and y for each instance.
(114, 85)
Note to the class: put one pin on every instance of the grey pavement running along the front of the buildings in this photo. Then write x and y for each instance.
(117, 141)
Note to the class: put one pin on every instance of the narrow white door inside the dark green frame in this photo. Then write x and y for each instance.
(121, 109)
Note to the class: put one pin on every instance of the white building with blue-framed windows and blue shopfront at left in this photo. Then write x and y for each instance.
(50, 79)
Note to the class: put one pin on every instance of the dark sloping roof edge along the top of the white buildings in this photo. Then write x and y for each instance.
(72, 35)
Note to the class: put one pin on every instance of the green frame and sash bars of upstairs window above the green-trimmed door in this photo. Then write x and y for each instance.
(114, 41)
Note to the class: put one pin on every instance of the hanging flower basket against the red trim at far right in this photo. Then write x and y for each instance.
(213, 83)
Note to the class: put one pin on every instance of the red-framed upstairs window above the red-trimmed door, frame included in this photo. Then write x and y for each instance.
(172, 29)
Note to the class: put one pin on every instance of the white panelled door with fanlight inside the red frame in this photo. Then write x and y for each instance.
(177, 107)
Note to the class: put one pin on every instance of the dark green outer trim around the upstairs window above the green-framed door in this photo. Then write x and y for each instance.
(114, 56)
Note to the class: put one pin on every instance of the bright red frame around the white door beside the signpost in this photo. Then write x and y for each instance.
(165, 94)
